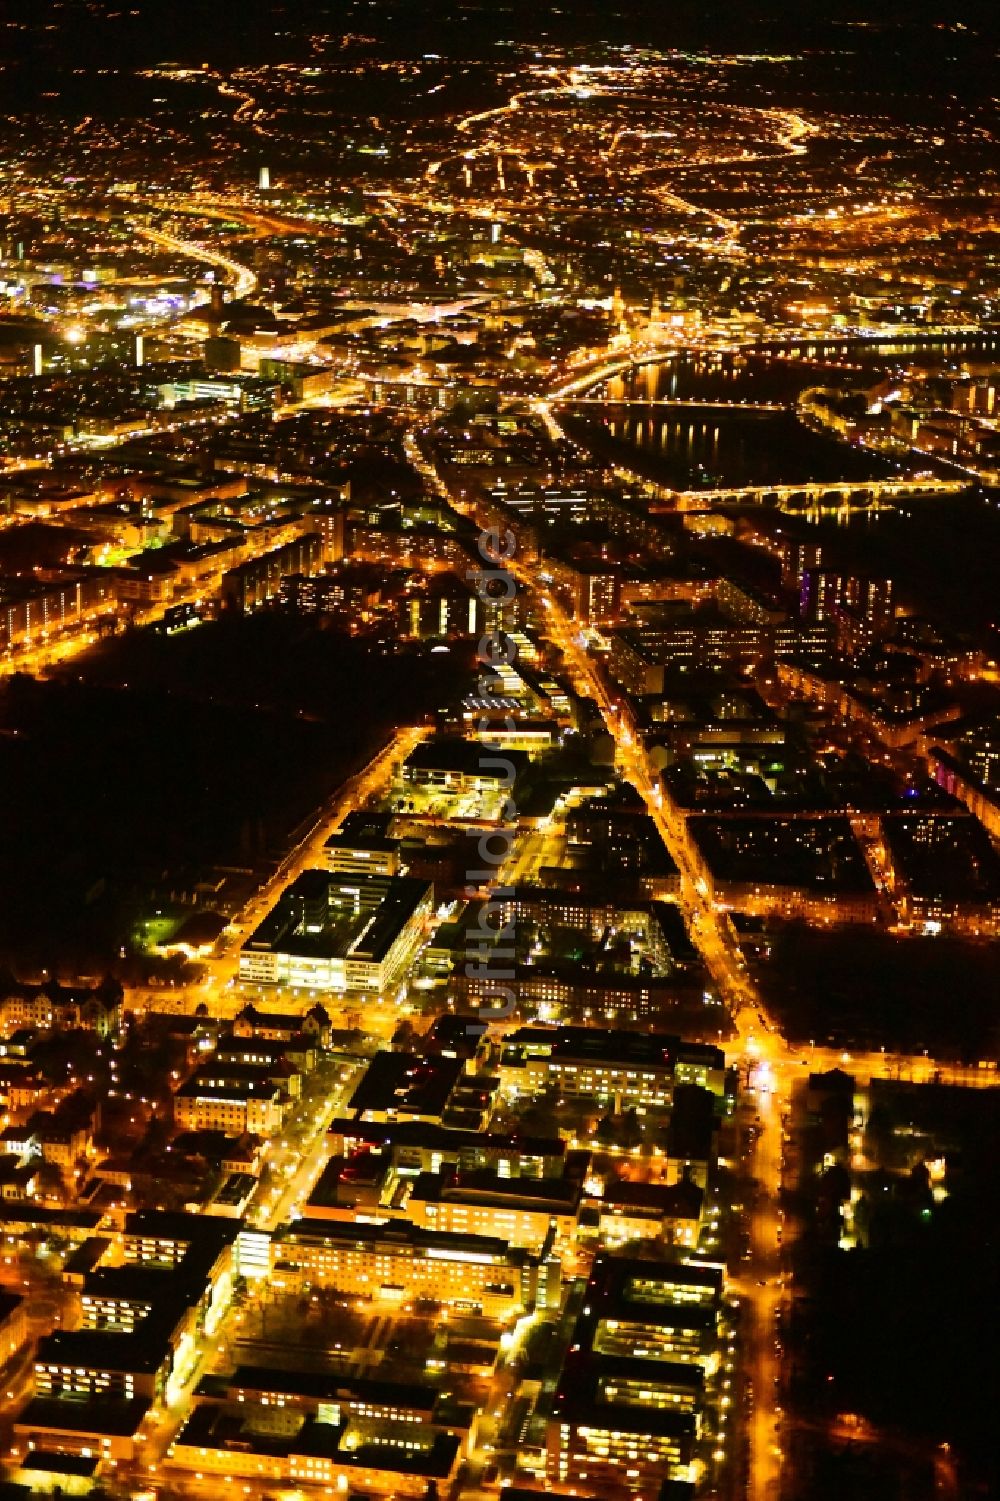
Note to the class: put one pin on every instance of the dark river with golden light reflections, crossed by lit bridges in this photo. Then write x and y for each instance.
(944, 550)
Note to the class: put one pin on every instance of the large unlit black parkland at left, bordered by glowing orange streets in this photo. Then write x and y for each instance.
(163, 759)
